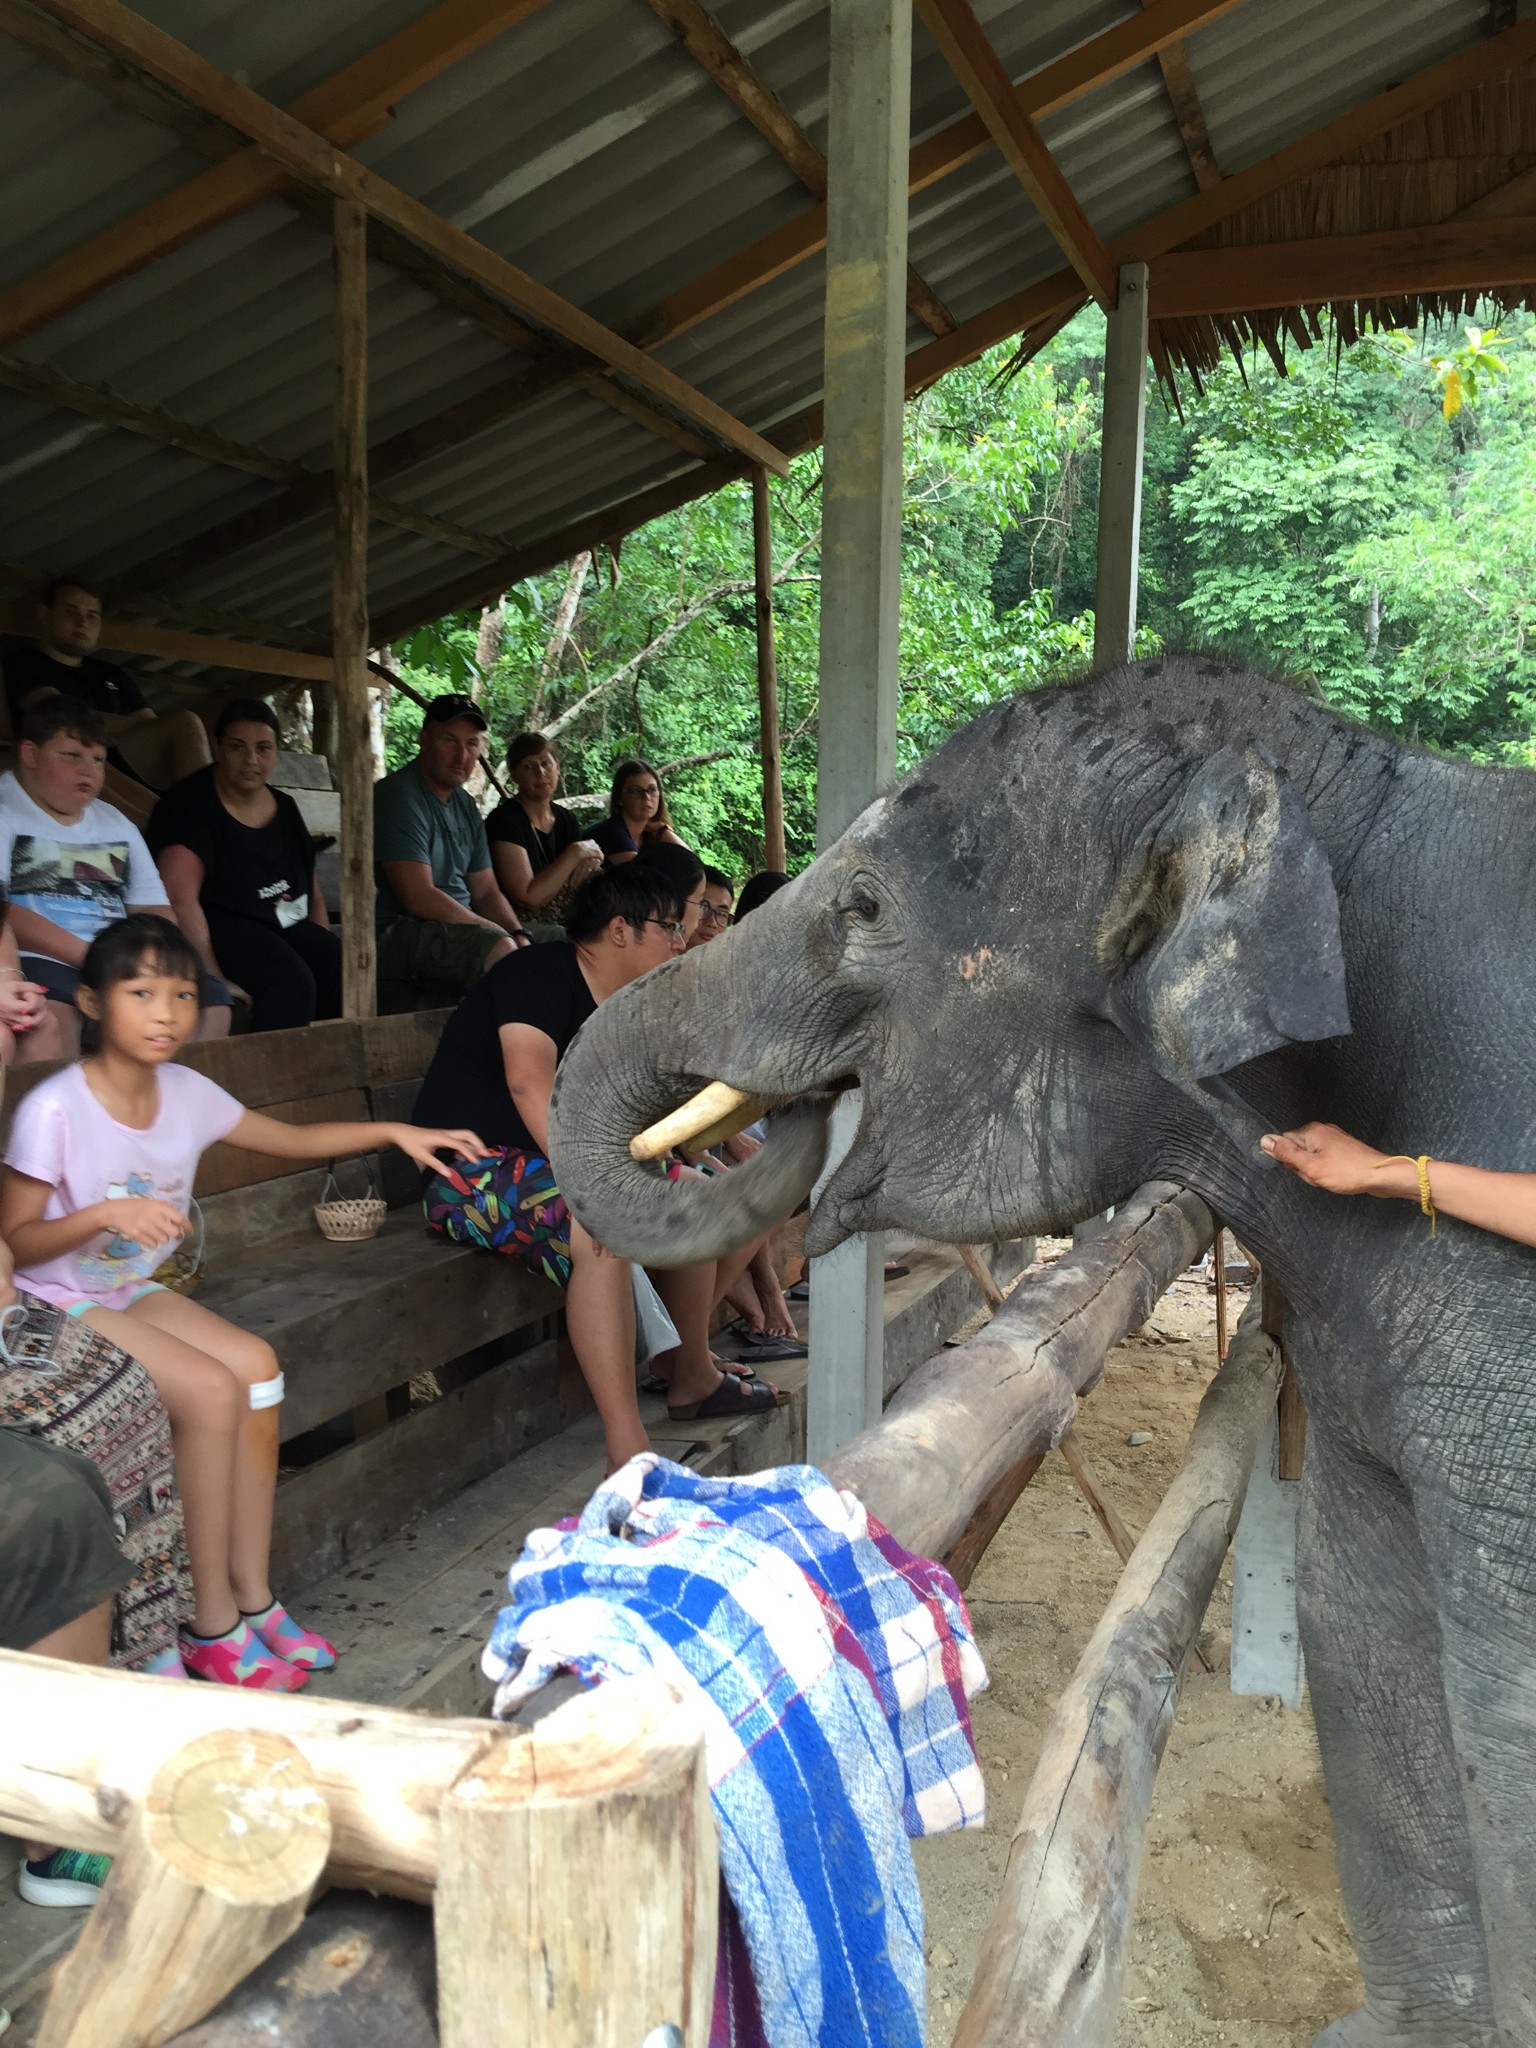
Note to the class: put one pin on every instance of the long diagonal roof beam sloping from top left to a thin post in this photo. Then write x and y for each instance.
(331, 171)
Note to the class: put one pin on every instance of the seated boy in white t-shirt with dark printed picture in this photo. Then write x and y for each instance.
(75, 863)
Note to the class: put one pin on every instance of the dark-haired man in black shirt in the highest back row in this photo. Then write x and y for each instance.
(65, 663)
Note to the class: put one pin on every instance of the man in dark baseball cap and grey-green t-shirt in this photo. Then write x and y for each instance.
(443, 919)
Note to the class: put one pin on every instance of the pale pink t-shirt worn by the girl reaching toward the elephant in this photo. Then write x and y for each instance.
(65, 1138)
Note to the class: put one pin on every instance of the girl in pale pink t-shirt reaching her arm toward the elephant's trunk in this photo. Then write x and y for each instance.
(99, 1175)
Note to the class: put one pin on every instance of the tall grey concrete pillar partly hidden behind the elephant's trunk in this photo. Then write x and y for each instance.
(861, 581)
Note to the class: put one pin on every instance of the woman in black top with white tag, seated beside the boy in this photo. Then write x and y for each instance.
(241, 876)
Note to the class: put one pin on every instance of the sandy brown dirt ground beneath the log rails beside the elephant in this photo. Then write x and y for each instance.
(1238, 1928)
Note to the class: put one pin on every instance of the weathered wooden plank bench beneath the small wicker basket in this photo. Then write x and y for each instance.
(355, 1326)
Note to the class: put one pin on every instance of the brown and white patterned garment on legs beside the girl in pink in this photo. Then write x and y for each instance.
(81, 1392)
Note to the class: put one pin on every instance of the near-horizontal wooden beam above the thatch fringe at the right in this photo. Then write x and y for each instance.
(1381, 265)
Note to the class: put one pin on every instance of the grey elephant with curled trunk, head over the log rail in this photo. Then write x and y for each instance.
(1103, 937)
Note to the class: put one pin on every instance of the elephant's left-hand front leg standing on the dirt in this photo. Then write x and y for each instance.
(1373, 1646)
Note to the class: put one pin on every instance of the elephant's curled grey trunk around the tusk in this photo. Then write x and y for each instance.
(632, 1066)
